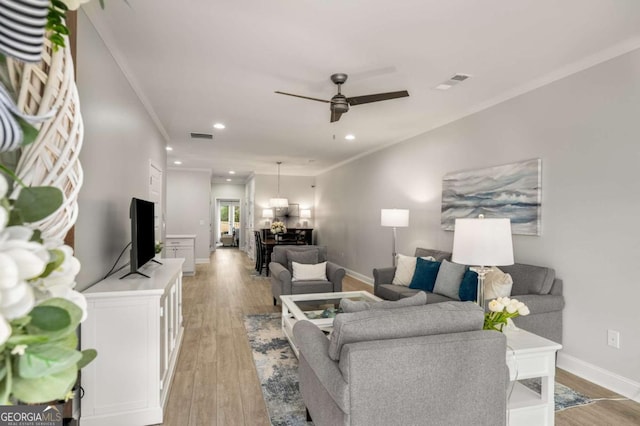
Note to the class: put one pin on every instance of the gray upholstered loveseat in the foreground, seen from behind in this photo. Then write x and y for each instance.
(419, 365)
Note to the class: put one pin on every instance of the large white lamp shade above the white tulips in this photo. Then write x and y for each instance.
(483, 242)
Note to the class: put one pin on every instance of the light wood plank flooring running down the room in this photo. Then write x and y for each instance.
(215, 382)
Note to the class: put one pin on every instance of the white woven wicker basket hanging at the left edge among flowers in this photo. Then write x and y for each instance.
(53, 159)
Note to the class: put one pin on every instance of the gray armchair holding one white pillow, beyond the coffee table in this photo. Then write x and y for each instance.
(280, 270)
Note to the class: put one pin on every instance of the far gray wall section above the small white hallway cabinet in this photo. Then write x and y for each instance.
(188, 195)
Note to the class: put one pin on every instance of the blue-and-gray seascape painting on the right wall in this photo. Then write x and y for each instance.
(512, 190)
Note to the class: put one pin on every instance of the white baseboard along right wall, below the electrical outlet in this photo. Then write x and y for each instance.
(625, 387)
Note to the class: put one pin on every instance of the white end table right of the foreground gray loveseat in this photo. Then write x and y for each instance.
(531, 356)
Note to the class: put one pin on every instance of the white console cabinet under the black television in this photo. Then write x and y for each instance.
(135, 324)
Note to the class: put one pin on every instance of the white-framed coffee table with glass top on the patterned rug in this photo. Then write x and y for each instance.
(296, 307)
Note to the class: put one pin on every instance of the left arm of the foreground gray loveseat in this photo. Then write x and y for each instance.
(314, 347)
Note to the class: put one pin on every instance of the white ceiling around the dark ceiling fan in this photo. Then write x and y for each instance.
(197, 62)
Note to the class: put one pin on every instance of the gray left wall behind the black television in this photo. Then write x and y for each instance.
(119, 141)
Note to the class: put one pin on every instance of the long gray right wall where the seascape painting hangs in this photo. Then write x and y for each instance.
(585, 129)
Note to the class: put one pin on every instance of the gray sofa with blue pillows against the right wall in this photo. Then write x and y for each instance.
(536, 286)
